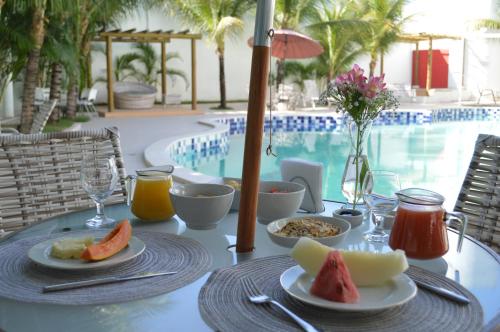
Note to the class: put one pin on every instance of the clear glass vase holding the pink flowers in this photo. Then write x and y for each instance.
(356, 165)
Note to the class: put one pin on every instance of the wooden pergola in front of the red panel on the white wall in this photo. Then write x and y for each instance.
(416, 39)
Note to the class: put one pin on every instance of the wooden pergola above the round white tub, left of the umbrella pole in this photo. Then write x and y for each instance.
(146, 36)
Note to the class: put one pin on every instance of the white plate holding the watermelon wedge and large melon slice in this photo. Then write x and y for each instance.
(395, 292)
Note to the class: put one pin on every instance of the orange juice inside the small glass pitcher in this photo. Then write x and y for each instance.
(151, 200)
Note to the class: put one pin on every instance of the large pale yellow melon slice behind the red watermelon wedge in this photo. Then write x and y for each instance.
(366, 268)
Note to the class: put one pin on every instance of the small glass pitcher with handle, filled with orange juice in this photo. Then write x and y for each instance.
(148, 196)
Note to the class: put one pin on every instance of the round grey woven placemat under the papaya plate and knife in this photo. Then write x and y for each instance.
(22, 280)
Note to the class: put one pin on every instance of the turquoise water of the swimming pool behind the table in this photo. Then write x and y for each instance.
(433, 156)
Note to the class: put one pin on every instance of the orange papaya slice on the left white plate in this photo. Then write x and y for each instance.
(111, 244)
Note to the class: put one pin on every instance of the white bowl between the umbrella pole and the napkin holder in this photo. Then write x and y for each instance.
(282, 204)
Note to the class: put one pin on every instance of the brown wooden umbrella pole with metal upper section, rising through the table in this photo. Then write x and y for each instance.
(255, 127)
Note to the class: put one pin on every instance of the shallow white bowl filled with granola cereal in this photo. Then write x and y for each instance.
(329, 231)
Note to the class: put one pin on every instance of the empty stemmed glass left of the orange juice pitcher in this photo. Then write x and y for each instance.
(99, 177)
